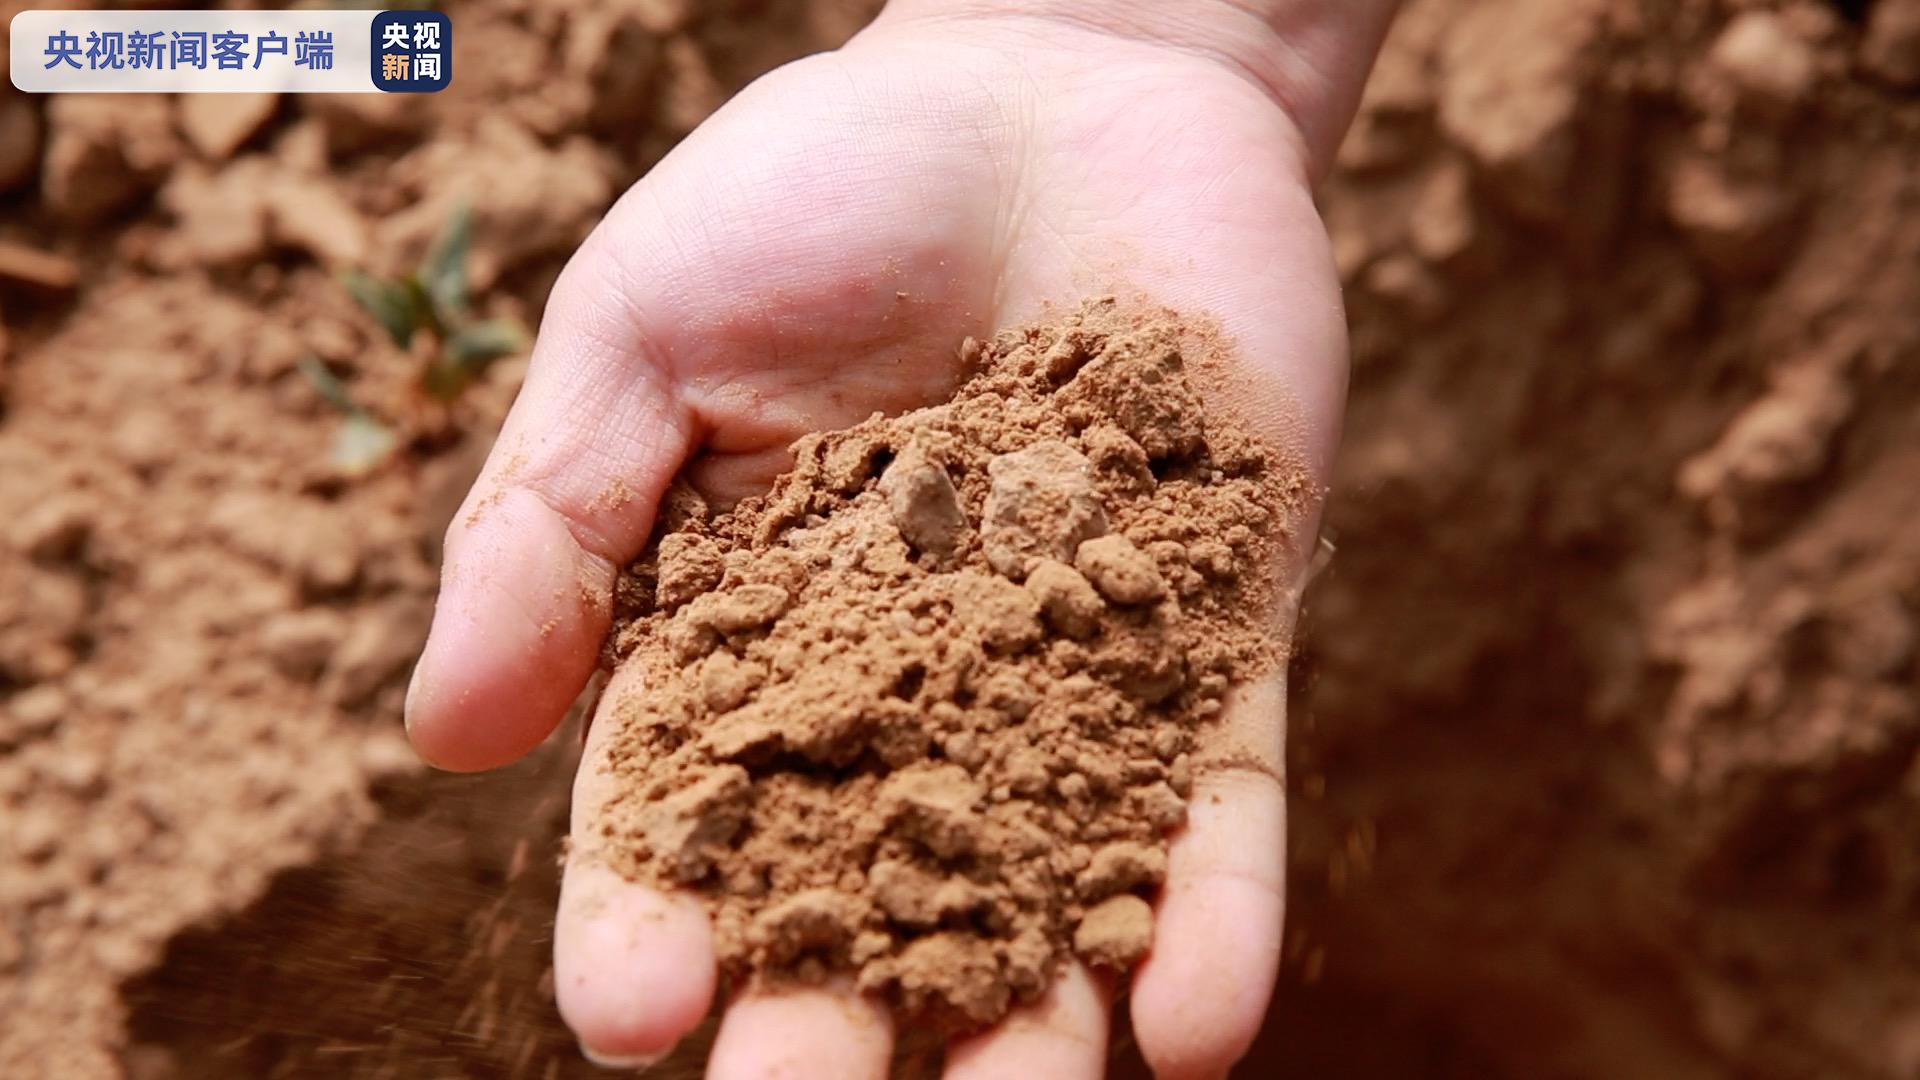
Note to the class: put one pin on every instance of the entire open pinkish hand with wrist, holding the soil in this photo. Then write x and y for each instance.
(796, 266)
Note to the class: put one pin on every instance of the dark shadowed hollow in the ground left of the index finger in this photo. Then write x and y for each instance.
(343, 970)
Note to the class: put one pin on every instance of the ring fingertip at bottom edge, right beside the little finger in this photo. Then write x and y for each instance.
(1063, 1035)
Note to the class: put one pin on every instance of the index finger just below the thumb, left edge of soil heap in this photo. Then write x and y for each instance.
(633, 966)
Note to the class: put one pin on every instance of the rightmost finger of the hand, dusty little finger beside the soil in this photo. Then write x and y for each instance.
(1203, 993)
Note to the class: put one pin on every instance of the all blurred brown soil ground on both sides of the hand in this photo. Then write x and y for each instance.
(1608, 714)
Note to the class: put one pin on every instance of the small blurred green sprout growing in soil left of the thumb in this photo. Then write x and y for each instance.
(427, 301)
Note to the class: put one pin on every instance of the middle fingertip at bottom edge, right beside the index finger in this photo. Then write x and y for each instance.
(805, 1033)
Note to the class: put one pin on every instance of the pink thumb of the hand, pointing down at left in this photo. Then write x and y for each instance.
(565, 501)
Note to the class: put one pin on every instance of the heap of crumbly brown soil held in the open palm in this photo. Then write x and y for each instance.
(924, 714)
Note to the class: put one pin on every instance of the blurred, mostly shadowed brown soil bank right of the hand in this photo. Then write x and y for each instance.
(1612, 699)
